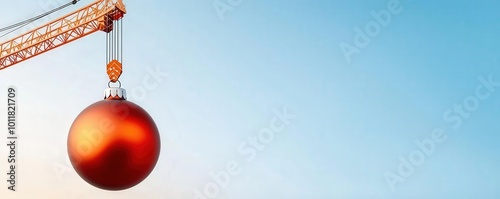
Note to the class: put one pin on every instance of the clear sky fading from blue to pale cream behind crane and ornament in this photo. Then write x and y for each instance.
(227, 76)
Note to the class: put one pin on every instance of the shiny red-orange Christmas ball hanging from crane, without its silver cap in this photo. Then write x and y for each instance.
(113, 144)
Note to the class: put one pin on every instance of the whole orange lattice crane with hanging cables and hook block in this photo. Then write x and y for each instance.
(102, 15)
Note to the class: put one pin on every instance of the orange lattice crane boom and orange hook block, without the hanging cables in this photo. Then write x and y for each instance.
(92, 18)
